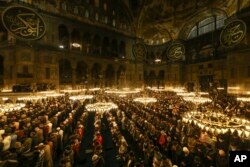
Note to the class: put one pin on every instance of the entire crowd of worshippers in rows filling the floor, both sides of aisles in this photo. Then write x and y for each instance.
(52, 130)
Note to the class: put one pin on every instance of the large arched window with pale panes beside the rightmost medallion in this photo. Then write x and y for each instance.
(207, 25)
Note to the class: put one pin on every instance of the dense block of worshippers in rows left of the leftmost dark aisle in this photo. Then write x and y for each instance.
(41, 133)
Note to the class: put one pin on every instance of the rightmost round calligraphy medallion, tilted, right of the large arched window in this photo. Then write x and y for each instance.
(233, 33)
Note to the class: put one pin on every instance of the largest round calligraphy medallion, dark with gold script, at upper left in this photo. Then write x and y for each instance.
(23, 23)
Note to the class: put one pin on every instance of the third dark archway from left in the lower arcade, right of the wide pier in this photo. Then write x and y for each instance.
(96, 74)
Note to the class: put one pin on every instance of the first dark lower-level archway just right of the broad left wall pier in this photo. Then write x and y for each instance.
(65, 72)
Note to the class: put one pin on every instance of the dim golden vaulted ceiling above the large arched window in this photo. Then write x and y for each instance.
(158, 21)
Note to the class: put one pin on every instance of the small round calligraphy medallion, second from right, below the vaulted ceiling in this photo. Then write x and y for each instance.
(176, 51)
